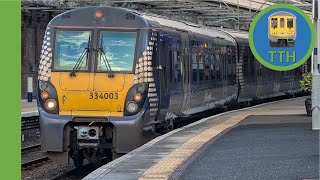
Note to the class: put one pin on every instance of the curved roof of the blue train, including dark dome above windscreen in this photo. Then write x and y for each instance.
(83, 17)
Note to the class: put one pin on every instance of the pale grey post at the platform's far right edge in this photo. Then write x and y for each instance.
(315, 96)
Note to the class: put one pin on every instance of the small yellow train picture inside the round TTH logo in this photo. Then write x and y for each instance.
(282, 29)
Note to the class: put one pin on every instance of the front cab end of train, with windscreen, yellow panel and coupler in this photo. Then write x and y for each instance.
(92, 100)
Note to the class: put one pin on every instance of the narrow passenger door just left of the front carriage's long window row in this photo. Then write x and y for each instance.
(185, 72)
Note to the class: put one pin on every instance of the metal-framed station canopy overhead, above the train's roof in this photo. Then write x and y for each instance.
(230, 14)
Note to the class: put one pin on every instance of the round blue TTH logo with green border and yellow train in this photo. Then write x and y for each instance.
(282, 37)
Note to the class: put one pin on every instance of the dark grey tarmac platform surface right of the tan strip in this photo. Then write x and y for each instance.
(260, 151)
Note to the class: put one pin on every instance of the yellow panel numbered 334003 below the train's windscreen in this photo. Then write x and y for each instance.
(91, 94)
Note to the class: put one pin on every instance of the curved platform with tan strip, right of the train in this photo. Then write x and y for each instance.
(269, 141)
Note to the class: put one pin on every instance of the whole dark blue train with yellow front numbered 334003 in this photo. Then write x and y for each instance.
(110, 79)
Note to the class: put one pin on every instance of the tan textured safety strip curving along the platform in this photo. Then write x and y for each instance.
(166, 166)
